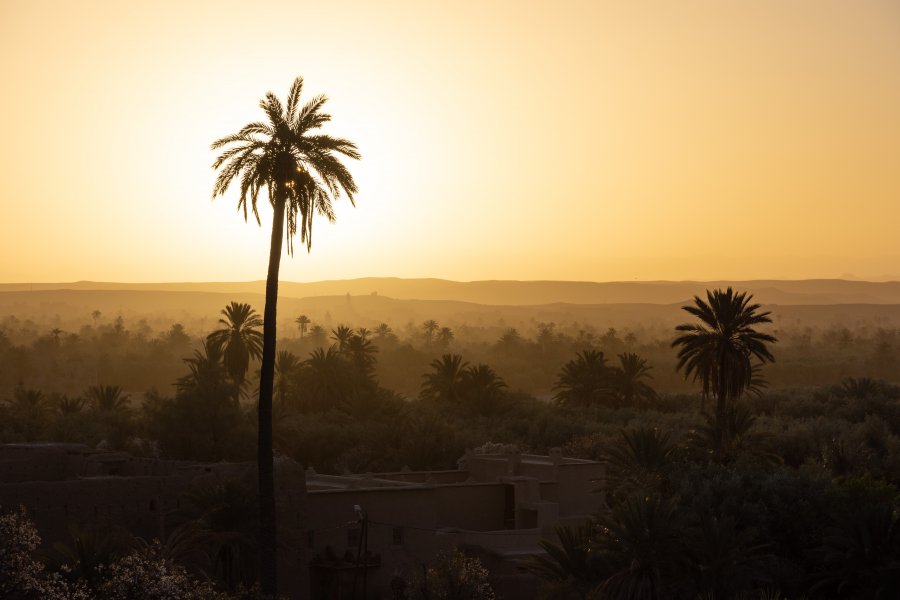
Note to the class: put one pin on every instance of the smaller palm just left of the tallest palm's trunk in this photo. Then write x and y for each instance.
(239, 340)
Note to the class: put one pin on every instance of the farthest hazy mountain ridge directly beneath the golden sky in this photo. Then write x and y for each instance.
(526, 293)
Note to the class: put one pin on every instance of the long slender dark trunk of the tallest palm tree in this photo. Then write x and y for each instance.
(267, 531)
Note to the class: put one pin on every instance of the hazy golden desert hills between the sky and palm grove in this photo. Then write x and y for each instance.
(366, 302)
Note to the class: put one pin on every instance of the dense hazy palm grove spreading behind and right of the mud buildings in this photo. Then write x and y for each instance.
(786, 492)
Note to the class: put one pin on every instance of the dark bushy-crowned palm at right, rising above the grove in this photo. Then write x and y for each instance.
(721, 349)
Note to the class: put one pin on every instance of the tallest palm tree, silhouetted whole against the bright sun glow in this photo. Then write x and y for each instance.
(302, 173)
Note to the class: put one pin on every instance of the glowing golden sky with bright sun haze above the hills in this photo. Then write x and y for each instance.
(501, 140)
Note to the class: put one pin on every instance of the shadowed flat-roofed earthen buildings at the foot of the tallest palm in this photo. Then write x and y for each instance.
(499, 505)
